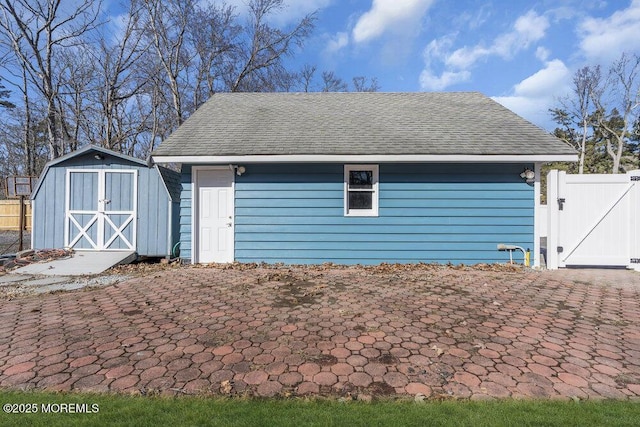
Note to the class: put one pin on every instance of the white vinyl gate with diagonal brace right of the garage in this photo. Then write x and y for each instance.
(593, 220)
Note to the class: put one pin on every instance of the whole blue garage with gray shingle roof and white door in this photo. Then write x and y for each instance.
(358, 178)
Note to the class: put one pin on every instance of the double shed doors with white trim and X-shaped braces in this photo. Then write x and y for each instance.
(101, 208)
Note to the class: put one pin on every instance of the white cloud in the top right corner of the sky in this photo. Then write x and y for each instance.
(605, 39)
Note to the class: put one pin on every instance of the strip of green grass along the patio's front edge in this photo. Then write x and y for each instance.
(118, 410)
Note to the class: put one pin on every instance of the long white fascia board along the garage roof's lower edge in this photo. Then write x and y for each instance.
(391, 158)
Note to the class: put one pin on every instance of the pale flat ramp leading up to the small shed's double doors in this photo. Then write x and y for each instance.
(80, 264)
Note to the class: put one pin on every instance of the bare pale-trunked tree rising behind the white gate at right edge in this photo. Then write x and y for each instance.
(623, 87)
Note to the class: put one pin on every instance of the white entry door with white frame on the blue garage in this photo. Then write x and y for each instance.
(214, 241)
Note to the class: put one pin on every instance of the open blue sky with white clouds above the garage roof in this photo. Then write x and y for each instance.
(522, 53)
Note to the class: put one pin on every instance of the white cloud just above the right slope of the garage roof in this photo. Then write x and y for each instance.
(533, 96)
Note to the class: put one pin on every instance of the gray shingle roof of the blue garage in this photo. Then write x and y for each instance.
(239, 124)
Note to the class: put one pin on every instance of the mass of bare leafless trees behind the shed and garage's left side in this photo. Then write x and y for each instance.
(129, 90)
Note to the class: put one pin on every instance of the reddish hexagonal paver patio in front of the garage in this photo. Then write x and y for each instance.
(439, 332)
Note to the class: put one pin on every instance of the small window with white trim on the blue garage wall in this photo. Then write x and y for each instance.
(361, 190)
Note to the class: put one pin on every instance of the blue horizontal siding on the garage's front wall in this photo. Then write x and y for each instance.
(440, 213)
